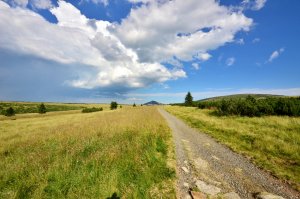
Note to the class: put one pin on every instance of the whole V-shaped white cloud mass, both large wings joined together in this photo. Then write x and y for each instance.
(127, 54)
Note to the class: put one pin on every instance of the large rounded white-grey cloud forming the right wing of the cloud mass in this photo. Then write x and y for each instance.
(158, 31)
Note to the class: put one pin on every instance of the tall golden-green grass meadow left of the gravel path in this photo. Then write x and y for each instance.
(127, 151)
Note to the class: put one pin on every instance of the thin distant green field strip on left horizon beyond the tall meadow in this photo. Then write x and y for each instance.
(32, 107)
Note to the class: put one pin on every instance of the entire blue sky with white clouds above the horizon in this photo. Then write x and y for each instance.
(142, 50)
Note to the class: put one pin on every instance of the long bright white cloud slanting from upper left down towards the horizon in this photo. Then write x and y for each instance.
(77, 39)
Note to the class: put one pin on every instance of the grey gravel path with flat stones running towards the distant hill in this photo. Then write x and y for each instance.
(211, 168)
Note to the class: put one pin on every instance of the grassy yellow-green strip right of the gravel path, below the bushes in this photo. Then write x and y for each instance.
(272, 142)
